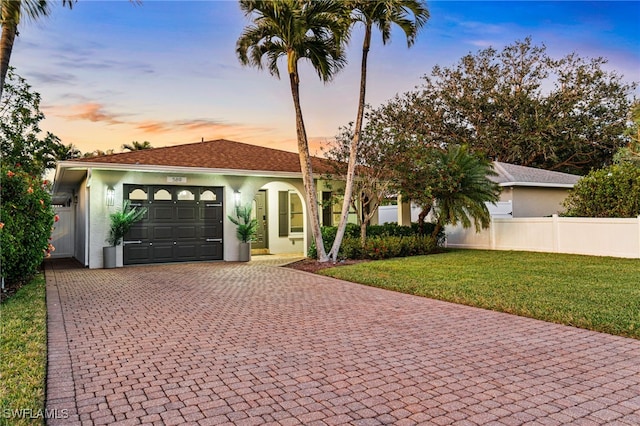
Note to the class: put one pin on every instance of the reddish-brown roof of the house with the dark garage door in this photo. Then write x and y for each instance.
(215, 154)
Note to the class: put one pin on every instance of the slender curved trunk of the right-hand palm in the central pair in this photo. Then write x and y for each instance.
(353, 150)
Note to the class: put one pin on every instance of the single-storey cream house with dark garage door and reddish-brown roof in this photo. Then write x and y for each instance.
(190, 190)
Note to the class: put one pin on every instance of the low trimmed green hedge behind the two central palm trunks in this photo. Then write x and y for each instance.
(383, 241)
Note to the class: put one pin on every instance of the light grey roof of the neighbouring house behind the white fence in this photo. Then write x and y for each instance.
(514, 175)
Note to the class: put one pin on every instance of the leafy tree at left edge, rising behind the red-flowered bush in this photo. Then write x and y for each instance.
(20, 139)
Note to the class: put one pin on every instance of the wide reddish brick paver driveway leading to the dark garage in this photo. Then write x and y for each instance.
(217, 343)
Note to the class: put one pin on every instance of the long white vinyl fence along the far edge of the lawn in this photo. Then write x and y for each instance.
(592, 236)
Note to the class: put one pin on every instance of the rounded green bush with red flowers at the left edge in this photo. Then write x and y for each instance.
(26, 221)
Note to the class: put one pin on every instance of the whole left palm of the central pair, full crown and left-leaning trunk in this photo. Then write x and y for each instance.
(296, 29)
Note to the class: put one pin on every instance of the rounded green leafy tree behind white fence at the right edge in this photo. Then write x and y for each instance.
(613, 191)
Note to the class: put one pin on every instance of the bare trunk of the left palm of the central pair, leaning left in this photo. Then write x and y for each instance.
(307, 172)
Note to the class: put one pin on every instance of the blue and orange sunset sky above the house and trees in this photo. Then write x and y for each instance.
(111, 72)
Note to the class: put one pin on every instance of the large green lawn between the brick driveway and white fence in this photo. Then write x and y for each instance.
(597, 293)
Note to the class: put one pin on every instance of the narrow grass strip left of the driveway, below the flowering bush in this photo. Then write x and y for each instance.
(23, 354)
